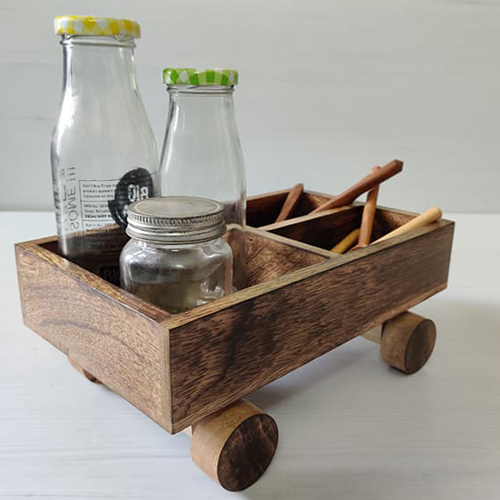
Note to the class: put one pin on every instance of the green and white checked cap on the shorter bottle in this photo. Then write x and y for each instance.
(200, 76)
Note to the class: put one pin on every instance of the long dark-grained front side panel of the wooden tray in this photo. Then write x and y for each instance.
(222, 357)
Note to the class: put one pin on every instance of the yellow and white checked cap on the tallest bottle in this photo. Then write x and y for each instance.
(97, 26)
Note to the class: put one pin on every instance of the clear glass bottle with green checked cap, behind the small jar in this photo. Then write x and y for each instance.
(201, 153)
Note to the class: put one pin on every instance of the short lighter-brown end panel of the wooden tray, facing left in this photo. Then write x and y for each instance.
(123, 348)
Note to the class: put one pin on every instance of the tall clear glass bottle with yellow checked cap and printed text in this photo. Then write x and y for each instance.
(103, 152)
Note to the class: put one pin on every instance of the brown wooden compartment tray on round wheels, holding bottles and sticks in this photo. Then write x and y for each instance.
(190, 371)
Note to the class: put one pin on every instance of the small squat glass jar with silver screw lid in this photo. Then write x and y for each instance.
(176, 257)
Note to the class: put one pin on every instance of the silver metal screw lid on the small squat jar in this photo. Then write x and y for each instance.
(175, 219)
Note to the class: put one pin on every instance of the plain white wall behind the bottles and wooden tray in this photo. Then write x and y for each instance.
(328, 89)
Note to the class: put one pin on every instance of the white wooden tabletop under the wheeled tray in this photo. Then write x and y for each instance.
(350, 427)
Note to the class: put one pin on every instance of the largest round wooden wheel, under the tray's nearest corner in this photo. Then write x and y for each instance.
(235, 445)
